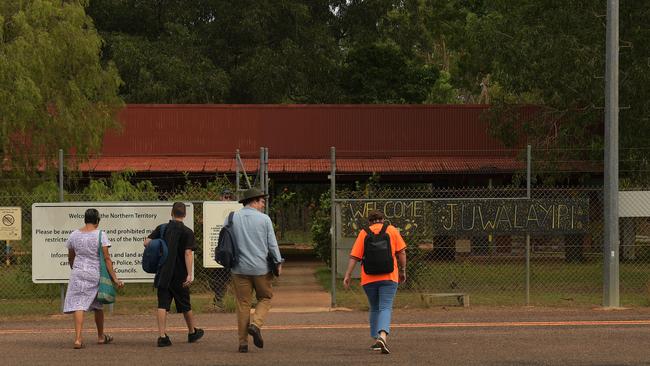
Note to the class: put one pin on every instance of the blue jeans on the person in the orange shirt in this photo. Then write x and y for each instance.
(380, 299)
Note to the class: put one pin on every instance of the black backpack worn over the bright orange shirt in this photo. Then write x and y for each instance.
(377, 252)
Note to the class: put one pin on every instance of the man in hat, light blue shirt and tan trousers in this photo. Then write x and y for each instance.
(256, 241)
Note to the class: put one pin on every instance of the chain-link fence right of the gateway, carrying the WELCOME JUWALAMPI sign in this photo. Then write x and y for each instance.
(497, 247)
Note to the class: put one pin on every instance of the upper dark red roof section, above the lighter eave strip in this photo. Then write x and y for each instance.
(304, 131)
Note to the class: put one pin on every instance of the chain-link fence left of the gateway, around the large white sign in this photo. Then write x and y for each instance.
(19, 296)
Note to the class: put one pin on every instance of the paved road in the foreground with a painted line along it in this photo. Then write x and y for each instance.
(475, 336)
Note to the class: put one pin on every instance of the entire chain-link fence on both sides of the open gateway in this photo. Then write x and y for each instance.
(491, 244)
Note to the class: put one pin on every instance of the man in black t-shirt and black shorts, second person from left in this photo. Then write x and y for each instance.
(174, 278)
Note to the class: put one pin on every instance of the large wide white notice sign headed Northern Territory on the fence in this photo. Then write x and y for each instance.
(126, 224)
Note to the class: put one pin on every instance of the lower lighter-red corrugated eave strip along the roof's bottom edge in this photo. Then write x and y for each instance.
(195, 164)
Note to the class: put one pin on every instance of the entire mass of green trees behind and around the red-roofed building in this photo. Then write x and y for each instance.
(56, 71)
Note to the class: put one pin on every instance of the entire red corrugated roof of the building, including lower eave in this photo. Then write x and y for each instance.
(396, 139)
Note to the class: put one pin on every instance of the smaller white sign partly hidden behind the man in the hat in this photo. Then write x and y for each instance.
(215, 214)
